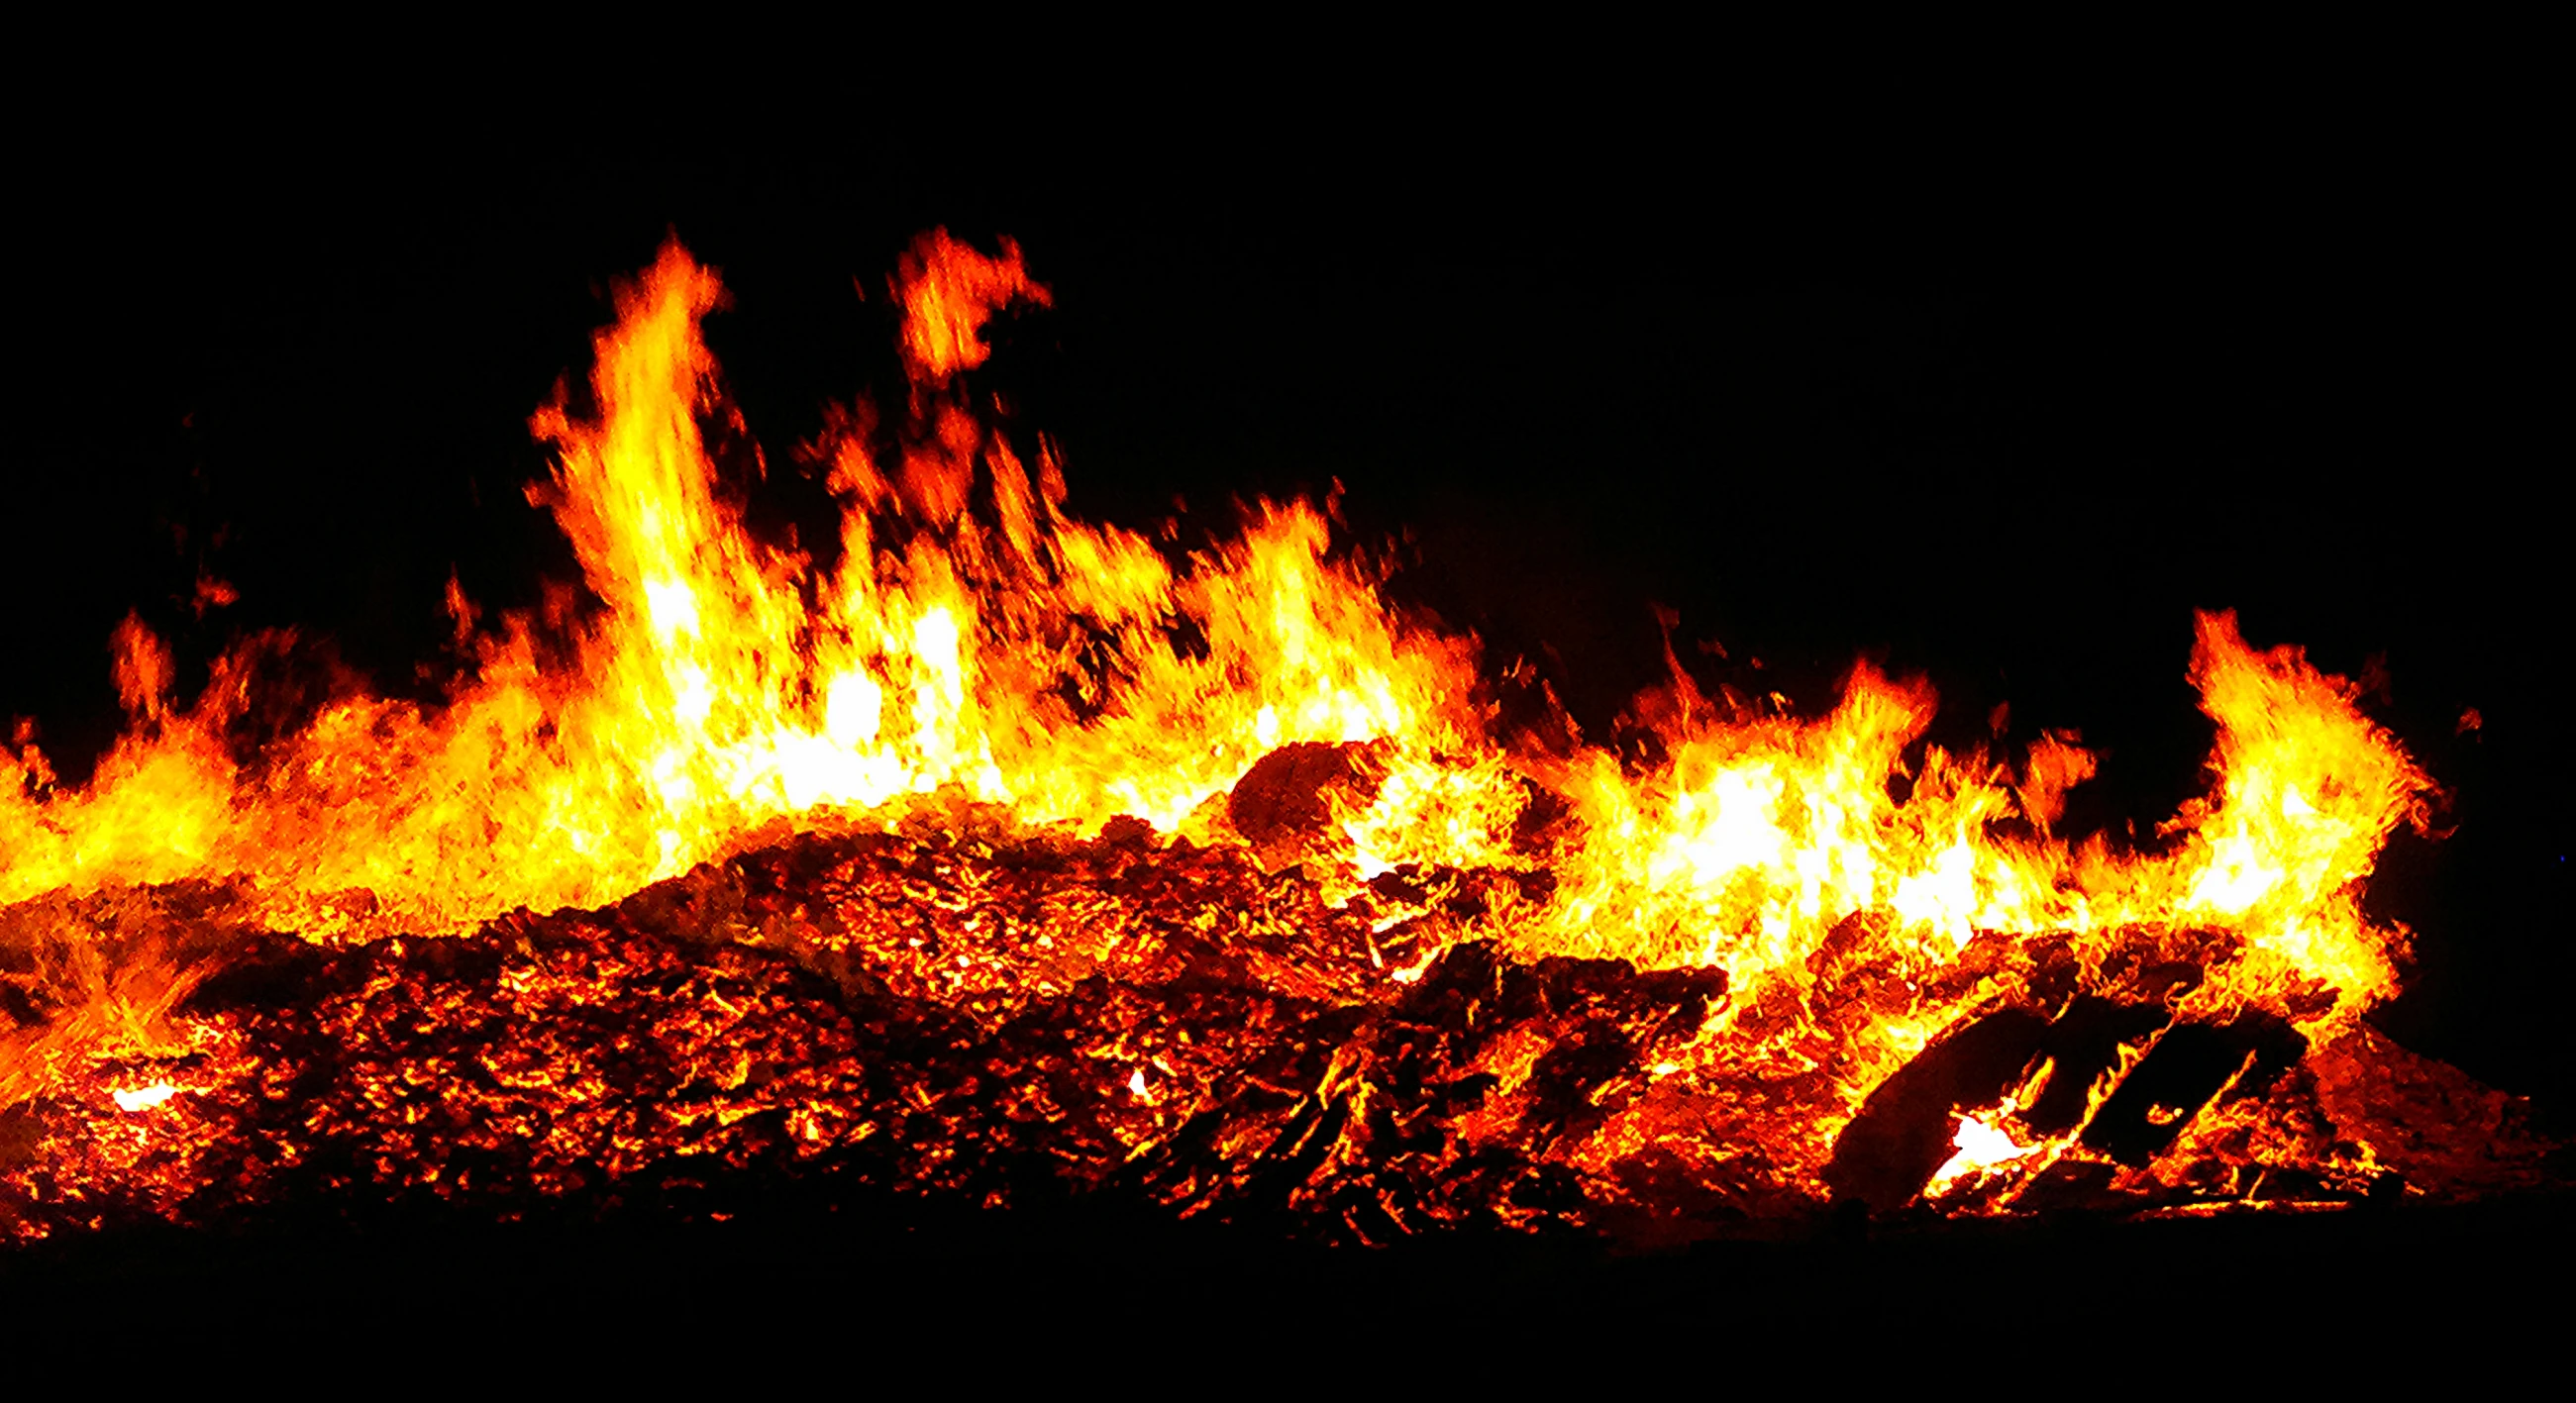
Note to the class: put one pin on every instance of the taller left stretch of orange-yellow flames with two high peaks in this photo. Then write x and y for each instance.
(725, 686)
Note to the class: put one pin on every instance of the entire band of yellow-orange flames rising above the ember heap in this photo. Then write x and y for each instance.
(978, 645)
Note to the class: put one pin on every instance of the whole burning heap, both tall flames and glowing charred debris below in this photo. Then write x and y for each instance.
(1001, 856)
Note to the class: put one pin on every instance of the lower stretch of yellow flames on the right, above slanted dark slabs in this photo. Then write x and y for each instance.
(1761, 835)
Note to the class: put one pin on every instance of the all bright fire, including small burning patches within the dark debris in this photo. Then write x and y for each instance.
(972, 655)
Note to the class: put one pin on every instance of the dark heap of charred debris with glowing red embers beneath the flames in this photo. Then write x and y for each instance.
(996, 1018)
